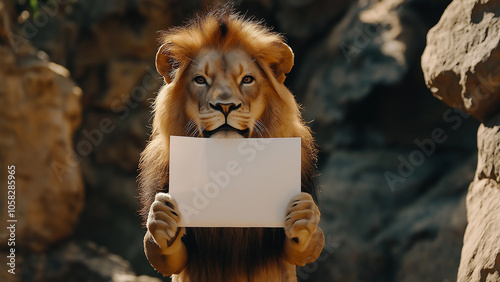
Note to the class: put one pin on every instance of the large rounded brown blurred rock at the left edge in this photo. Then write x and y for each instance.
(40, 111)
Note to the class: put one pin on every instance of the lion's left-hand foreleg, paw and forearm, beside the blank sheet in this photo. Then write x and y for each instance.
(162, 242)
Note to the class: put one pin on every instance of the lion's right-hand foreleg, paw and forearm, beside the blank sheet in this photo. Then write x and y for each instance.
(304, 239)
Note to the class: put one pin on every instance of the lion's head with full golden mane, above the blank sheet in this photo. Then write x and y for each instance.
(225, 78)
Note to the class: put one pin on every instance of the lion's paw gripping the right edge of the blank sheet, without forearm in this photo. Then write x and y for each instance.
(302, 217)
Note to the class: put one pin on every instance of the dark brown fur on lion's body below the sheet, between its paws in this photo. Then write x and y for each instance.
(235, 254)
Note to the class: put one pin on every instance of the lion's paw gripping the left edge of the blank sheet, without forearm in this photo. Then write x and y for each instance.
(163, 220)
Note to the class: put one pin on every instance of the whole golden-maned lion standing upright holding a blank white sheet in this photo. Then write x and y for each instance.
(224, 78)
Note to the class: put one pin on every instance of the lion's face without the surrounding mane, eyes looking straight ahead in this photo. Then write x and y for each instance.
(225, 94)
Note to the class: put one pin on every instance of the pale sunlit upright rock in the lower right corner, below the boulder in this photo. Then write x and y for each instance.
(481, 251)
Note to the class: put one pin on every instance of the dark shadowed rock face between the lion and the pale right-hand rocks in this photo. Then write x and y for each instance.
(363, 93)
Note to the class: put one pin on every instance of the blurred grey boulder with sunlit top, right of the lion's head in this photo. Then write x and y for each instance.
(373, 45)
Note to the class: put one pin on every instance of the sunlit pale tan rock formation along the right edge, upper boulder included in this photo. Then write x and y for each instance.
(461, 65)
